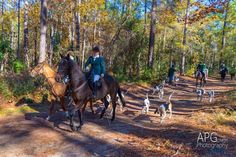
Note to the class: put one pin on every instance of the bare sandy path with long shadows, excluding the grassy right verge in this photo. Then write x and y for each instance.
(131, 134)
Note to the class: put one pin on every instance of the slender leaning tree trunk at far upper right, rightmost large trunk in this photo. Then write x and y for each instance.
(223, 32)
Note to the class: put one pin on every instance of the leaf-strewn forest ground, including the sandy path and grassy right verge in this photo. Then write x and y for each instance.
(131, 134)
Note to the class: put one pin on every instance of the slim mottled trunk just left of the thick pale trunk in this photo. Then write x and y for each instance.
(26, 35)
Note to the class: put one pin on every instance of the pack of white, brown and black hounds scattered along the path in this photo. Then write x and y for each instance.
(163, 108)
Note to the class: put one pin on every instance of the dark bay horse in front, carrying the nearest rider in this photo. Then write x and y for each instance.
(81, 91)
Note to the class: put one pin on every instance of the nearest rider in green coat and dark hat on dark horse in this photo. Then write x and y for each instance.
(97, 68)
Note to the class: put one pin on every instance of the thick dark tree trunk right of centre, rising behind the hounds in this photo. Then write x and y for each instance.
(152, 34)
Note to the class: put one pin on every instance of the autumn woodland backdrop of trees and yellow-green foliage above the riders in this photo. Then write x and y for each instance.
(139, 39)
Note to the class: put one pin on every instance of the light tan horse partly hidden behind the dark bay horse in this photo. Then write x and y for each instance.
(58, 90)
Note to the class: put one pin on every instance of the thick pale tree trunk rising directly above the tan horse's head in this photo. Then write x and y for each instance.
(43, 31)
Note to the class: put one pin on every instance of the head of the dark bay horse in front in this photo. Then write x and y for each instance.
(63, 67)
